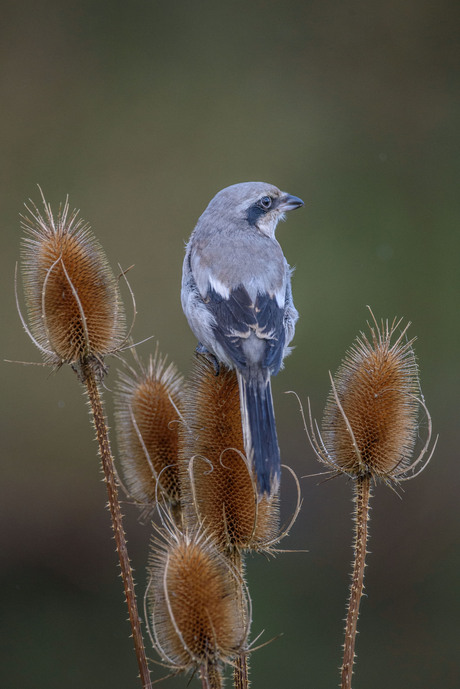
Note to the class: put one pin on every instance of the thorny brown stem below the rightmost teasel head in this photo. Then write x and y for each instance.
(362, 495)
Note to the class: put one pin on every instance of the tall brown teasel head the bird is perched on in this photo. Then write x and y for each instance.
(218, 486)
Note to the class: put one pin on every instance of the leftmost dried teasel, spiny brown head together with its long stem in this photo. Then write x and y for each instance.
(76, 317)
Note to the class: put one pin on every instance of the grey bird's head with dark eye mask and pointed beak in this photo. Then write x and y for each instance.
(258, 204)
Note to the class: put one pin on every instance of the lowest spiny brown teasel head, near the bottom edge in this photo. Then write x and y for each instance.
(199, 611)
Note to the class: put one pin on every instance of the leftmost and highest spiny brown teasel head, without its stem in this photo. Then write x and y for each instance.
(72, 297)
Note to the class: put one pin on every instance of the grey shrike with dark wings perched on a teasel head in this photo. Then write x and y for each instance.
(236, 295)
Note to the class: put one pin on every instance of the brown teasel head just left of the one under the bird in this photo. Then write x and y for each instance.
(147, 403)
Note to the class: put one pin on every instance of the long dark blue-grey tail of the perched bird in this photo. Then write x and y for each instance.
(259, 430)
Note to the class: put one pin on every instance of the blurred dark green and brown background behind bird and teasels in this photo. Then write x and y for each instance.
(142, 111)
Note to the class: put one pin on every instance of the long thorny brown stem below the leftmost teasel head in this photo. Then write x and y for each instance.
(89, 379)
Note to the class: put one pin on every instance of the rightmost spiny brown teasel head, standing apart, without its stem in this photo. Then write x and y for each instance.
(370, 423)
